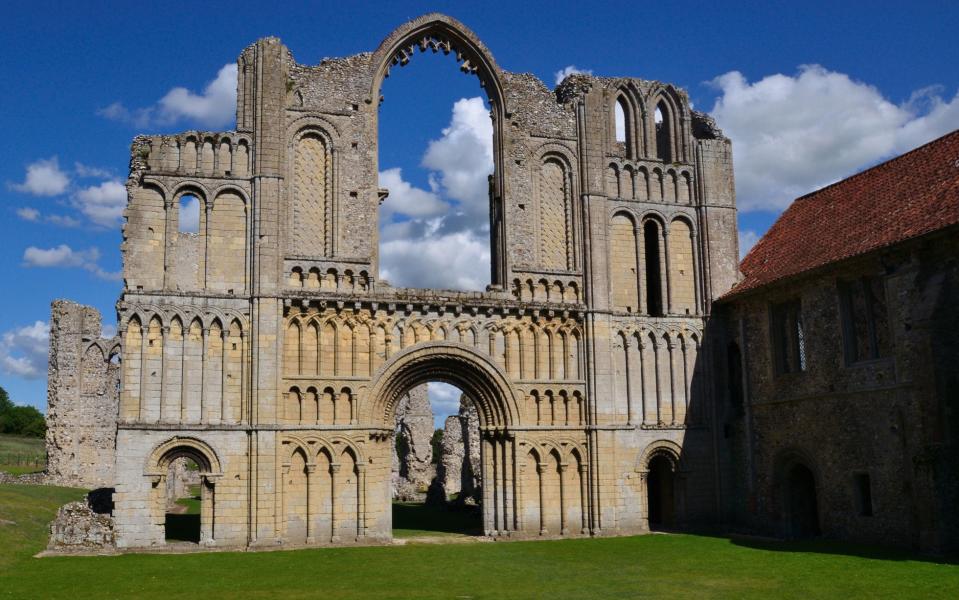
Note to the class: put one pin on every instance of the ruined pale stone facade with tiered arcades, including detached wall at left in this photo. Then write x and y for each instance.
(266, 349)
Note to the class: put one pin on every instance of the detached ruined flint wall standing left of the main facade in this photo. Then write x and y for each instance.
(82, 398)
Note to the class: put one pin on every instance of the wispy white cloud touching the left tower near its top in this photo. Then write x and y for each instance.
(215, 107)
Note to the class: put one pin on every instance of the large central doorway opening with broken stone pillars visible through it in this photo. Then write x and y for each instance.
(436, 479)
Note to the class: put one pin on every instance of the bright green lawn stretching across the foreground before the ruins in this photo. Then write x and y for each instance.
(653, 566)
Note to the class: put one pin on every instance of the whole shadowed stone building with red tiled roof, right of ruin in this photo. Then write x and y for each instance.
(841, 366)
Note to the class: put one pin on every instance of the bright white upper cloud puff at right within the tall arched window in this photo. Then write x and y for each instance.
(463, 156)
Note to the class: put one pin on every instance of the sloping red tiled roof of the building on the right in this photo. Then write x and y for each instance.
(908, 196)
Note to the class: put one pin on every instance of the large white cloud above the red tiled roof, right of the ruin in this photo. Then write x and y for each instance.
(794, 134)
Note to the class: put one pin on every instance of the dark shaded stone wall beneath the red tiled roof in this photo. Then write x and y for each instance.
(879, 434)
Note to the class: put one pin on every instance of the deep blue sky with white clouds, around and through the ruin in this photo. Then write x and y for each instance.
(809, 93)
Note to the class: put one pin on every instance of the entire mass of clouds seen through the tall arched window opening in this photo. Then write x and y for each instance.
(439, 237)
